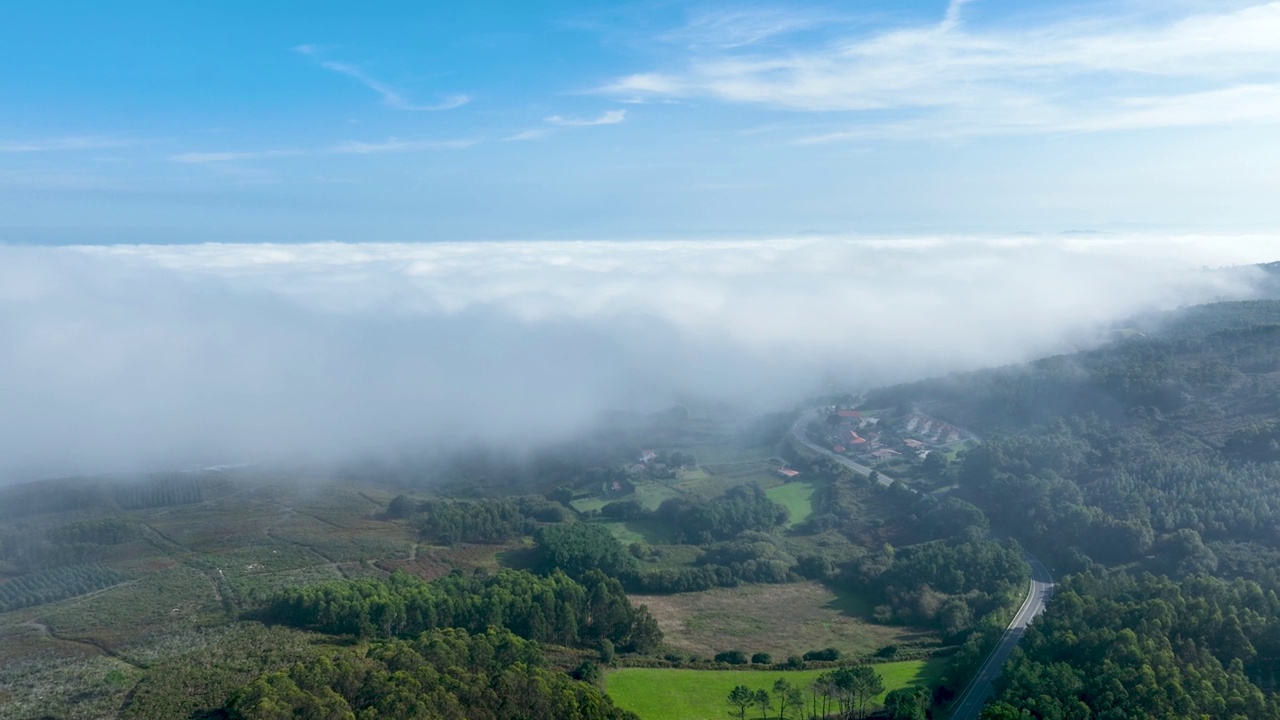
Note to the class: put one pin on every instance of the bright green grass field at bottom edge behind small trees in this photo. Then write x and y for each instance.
(701, 695)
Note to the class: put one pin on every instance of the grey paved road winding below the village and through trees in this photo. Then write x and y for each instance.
(975, 696)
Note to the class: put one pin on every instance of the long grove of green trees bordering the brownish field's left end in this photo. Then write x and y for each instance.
(554, 609)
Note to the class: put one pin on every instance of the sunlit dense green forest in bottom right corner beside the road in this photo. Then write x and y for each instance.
(1113, 645)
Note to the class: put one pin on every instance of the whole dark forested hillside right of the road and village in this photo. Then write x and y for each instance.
(1144, 464)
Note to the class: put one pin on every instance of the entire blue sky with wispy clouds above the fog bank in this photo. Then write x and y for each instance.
(294, 122)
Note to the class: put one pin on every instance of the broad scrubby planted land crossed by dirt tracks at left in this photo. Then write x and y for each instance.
(149, 628)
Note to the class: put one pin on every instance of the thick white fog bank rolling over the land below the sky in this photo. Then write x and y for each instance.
(122, 358)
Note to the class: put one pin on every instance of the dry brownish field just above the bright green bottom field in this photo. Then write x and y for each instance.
(781, 621)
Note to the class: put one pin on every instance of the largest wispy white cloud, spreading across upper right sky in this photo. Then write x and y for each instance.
(1217, 67)
